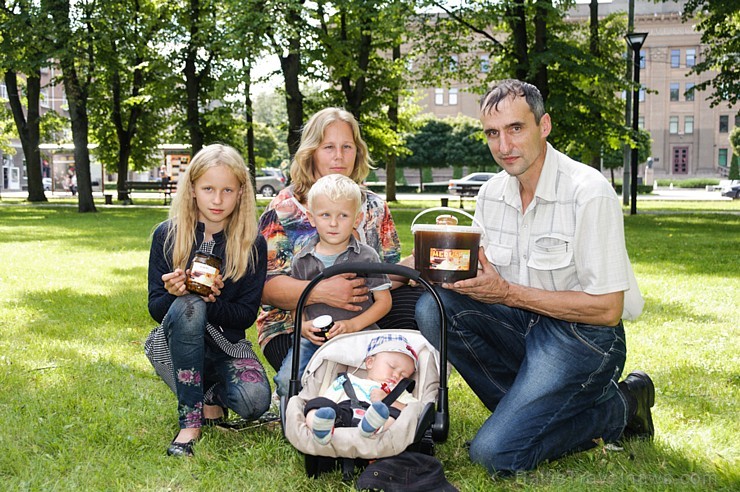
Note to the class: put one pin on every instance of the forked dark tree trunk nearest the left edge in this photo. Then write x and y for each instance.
(28, 129)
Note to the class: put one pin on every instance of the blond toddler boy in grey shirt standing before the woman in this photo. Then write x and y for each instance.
(334, 205)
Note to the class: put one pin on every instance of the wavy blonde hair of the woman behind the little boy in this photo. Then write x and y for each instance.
(302, 171)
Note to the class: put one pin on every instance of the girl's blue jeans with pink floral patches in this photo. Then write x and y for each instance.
(239, 384)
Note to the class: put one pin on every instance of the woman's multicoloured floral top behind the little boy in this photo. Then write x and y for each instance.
(285, 226)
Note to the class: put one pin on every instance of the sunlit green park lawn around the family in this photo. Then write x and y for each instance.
(83, 410)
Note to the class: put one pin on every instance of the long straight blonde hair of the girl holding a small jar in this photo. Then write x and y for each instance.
(241, 228)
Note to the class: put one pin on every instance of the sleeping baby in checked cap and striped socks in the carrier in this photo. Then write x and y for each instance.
(389, 360)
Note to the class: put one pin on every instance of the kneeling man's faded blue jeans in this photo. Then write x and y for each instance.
(551, 385)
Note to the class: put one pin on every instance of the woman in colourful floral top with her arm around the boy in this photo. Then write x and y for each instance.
(330, 144)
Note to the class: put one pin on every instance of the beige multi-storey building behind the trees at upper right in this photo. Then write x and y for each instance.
(690, 139)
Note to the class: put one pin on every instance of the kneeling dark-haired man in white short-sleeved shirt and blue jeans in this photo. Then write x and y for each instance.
(537, 334)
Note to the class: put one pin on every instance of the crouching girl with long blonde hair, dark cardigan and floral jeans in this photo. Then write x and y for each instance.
(200, 349)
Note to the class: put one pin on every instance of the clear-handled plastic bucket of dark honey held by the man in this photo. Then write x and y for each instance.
(446, 252)
